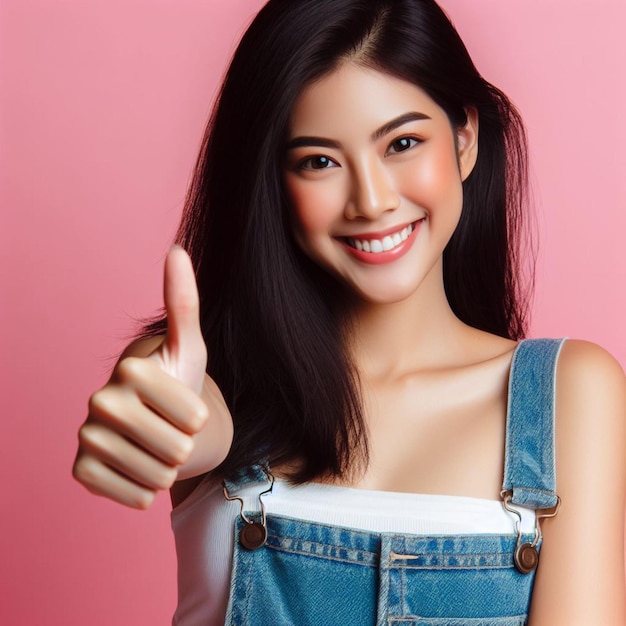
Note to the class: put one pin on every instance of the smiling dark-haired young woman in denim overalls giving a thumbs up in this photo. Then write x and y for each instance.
(369, 440)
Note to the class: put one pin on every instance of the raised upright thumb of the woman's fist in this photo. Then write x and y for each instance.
(183, 352)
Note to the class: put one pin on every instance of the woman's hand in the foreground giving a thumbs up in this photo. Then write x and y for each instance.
(159, 418)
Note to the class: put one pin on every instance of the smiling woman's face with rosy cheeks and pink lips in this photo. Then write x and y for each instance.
(373, 174)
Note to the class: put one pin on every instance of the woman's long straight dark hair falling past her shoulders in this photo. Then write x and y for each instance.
(276, 346)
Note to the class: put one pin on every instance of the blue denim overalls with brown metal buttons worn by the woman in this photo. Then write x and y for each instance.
(306, 573)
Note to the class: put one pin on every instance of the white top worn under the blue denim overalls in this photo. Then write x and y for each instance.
(204, 526)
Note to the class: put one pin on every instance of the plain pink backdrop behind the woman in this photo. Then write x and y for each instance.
(103, 106)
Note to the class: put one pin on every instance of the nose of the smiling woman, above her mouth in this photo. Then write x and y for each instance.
(373, 191)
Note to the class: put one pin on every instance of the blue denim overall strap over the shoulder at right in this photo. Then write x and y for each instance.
(530, 471)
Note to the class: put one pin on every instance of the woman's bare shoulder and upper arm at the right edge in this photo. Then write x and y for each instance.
(580, 579)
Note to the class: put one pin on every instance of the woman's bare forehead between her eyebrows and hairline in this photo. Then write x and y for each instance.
(353, 96)
